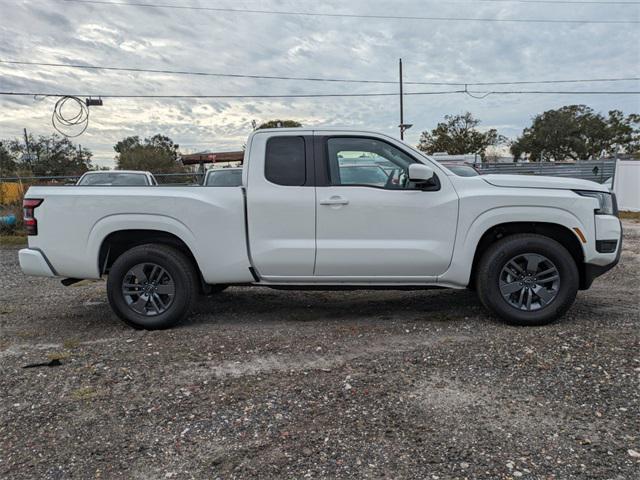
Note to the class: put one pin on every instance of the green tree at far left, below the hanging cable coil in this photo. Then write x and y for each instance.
(50, 156)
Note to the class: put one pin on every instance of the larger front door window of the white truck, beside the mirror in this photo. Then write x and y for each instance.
(368, 162)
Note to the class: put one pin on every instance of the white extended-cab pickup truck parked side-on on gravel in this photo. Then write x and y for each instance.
(327, 209)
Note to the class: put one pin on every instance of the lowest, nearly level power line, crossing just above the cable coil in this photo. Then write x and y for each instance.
(327, 95)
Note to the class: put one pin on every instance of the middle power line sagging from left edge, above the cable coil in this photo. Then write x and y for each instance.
(312, 79)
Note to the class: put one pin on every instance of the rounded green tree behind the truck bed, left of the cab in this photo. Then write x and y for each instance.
(157, 154)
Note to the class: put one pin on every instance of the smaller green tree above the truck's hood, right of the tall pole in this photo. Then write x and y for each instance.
(458, 135)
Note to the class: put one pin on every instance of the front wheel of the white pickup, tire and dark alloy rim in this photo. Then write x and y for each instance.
(516, 281)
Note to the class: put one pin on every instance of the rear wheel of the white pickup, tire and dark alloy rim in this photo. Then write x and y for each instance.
(152, 287)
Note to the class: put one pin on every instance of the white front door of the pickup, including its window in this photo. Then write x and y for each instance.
(373, 224)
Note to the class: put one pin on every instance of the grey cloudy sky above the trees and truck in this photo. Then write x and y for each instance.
(55, 31)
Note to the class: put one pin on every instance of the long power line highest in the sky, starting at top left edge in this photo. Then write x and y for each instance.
(350, 15)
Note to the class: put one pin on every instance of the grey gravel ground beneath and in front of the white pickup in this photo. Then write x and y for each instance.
(279, 384)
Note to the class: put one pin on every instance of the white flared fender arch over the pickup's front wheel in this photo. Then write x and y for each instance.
(469, 236)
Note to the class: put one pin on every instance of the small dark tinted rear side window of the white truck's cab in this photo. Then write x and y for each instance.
(285, 162)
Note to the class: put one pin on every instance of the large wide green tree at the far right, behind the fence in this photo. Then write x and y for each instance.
(577, 132)
